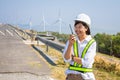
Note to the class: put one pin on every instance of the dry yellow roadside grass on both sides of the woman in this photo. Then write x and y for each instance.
(105, 67)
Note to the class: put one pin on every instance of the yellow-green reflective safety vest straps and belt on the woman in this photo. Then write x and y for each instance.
(76, 66)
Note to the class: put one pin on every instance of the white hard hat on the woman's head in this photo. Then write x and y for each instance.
(84, 18)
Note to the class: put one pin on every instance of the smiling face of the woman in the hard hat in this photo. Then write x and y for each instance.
(80, 29)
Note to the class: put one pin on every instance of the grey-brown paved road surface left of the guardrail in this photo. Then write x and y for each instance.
(19, 58)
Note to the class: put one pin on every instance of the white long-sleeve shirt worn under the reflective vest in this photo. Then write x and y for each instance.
(88, 59)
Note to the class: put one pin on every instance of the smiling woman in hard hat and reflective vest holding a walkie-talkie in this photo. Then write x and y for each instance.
(80, 51)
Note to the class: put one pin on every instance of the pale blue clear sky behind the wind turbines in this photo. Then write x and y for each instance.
(104, 14)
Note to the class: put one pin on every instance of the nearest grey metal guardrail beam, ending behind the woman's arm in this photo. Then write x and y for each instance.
(52, 44)
